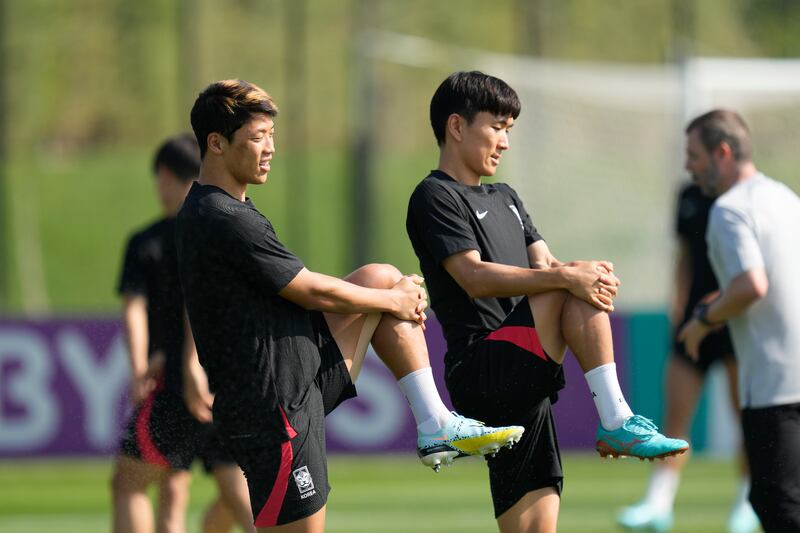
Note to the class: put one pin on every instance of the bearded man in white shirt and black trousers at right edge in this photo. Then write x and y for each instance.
(754, 247)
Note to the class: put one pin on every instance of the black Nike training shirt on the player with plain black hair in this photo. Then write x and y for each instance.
(446, 217)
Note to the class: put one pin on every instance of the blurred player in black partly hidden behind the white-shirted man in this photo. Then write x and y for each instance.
(694, 280)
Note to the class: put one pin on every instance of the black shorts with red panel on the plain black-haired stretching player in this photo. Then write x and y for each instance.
(507, 379)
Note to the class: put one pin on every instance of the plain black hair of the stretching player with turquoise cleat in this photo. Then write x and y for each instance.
(469, 93)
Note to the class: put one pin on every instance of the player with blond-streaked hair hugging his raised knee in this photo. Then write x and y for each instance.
(277, 363)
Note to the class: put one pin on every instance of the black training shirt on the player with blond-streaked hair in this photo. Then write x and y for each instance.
(257, 348)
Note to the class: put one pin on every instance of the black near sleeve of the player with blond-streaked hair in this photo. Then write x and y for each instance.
(270, 264)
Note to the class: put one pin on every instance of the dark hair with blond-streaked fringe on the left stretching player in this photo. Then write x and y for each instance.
(224, 106)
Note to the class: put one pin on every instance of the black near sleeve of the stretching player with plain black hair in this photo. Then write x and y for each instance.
(441, 222)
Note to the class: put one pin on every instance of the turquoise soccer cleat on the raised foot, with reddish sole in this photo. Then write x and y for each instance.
(638, 437)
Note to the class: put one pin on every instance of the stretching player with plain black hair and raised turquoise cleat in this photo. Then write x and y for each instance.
(490, 275)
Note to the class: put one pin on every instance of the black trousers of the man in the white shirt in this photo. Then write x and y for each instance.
(772, 443)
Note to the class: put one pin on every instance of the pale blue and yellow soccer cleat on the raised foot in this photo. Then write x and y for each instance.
(463, 436)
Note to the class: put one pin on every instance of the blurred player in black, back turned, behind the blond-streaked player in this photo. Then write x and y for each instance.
(163, 438)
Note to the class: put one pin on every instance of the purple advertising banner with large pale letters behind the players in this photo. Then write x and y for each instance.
(63, 388)
